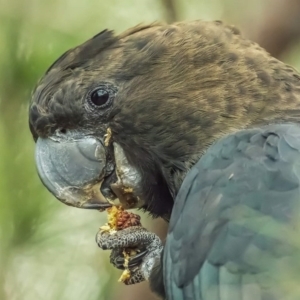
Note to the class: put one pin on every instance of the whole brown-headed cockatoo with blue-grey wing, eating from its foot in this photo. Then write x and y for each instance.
(192, 123)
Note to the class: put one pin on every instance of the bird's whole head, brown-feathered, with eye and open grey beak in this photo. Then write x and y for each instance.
(124, 117)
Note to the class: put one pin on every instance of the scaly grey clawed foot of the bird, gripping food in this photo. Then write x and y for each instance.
(134, 250)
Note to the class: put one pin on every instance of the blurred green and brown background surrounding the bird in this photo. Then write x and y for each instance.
(47, 250)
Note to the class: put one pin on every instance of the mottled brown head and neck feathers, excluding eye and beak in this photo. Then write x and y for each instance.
(201, 78)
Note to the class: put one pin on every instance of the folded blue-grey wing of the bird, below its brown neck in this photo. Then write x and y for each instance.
(227, 234)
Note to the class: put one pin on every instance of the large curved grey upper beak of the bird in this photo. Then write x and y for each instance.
(72, 169)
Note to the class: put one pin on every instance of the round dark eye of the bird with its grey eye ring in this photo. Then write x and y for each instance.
(101, 97)
